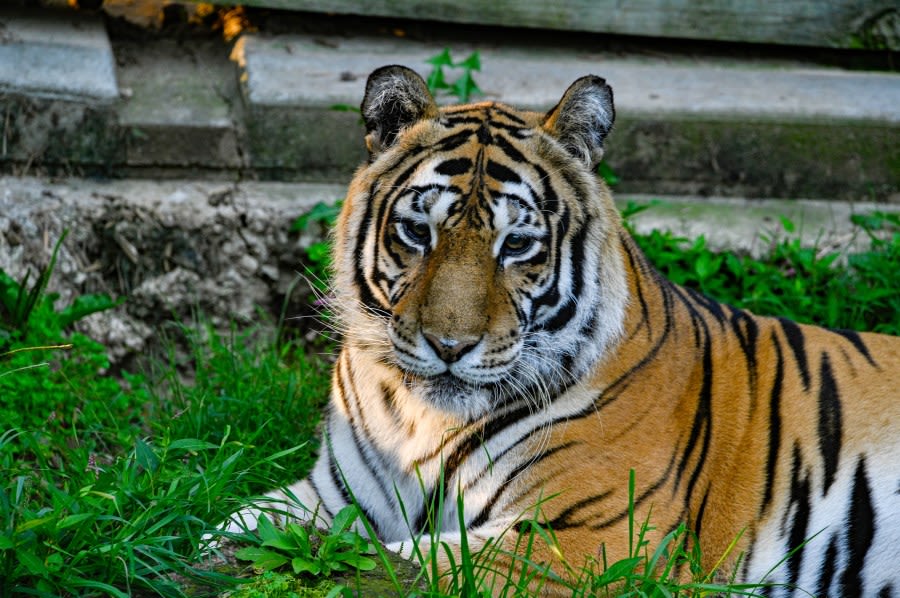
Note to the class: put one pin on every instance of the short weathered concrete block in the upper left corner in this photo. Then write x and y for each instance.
(57, 90)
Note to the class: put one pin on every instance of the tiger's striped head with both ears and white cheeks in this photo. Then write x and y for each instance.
(477, 250)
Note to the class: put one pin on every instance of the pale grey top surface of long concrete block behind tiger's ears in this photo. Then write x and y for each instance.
(315, 70)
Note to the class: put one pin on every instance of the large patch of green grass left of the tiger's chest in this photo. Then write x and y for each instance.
(113, 495)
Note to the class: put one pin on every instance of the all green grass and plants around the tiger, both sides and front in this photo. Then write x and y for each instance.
(109, 482)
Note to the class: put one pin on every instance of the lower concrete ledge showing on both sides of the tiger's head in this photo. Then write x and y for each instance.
(174, 246)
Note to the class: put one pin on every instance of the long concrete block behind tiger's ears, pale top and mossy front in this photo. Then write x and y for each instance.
(700, 126)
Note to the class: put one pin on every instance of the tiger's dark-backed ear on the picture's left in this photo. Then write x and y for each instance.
(396, 97)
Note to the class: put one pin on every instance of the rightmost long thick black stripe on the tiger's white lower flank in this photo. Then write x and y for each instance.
(860, 531)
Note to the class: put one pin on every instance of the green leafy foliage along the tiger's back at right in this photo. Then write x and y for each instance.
(806, 284)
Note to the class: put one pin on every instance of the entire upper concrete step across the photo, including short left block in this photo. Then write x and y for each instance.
(708, 125)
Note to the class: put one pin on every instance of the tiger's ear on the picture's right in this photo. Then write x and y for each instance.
(582, 118)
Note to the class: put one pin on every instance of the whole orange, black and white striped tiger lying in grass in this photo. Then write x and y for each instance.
(506, 345)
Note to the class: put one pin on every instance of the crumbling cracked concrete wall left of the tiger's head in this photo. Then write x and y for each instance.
(169, 248)
